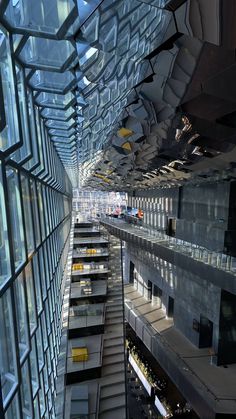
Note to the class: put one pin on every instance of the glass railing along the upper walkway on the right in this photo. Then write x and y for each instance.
(216, 259)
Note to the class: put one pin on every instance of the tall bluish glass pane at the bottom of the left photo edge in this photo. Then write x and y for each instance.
(7, 347)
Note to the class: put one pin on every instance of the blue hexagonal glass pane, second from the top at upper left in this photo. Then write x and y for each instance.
(47, 53)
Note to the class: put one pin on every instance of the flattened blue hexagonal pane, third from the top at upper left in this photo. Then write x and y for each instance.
(47, 80)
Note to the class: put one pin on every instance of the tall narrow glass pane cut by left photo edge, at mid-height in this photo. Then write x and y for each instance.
(4, 245)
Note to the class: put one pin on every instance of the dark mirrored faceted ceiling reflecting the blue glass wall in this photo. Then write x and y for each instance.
(134, 94)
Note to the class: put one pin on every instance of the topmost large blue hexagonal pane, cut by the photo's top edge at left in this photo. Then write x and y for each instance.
(41, 16)
